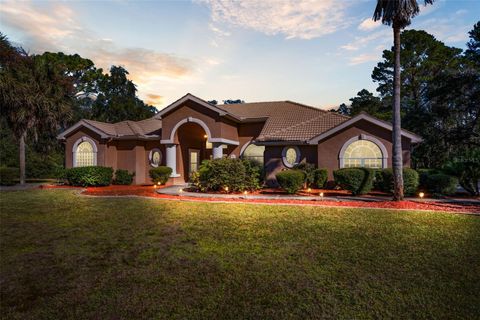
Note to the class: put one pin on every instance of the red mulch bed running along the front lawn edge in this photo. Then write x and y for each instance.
(149, 191)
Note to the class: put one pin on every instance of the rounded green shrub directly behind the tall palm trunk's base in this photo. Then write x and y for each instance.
(384, 180)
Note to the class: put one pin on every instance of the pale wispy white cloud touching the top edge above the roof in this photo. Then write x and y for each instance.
(305, 19)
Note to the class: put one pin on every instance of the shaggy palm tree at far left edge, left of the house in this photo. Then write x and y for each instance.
(34, 95)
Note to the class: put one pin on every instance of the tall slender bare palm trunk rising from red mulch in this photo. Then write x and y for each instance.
(397, 161)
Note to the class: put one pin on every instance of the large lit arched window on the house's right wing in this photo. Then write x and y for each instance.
(362, 153)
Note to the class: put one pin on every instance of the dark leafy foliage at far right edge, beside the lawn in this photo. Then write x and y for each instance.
(467, 169)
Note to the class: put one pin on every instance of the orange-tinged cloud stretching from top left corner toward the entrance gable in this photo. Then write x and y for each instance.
(54, 27)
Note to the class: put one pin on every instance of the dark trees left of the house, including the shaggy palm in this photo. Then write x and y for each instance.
(42, 94)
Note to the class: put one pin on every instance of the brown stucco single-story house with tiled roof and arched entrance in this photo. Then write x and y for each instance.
(278, 134)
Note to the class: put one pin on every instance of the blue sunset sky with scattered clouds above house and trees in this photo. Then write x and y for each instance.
(319, 53)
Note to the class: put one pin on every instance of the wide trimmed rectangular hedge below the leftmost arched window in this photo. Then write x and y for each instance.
(89, 176)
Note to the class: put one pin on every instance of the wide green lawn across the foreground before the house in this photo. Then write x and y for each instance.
(64, 256)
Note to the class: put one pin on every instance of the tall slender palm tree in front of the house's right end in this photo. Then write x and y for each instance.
(398, 14)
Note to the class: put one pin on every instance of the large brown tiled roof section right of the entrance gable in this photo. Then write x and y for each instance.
(287, 120)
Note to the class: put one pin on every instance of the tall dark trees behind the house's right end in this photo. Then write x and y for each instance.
(440, 99)
